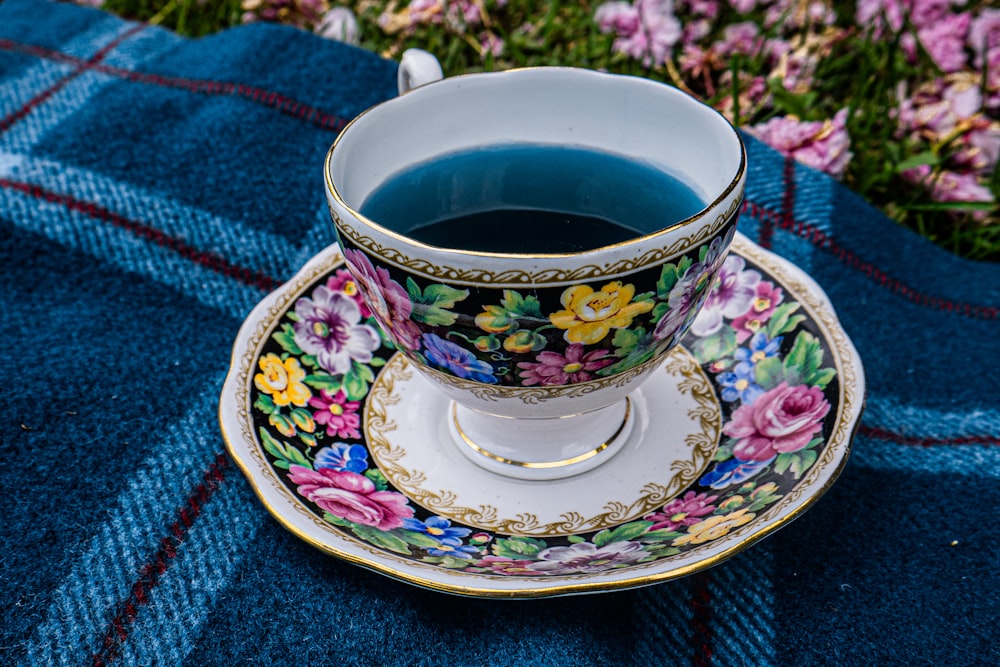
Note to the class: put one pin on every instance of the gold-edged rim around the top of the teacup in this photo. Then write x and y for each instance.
(715, 204)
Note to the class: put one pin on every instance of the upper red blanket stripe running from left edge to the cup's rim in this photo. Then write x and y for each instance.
(262, 96)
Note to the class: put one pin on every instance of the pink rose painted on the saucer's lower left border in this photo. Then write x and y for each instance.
(351, 496)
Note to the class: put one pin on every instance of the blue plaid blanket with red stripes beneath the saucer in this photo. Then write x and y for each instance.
(153, 189)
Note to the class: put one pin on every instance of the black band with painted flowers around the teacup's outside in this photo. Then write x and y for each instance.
(517, 337)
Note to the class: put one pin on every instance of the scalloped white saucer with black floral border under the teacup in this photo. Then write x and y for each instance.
(747, 423)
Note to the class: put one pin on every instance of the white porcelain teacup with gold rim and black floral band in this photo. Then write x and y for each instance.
(538, 351)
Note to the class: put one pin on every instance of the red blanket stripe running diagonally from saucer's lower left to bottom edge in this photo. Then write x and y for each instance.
(117, 629)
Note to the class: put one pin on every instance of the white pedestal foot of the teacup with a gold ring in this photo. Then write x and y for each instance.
(541, 448)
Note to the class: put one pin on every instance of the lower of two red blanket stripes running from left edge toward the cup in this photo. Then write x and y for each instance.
(209, 260)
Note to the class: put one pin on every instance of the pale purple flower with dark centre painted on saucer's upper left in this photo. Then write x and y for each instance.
(329, 327)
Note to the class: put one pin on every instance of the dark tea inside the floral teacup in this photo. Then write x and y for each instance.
(530, 200)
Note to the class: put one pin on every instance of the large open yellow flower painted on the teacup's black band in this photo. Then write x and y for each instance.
(589, 315)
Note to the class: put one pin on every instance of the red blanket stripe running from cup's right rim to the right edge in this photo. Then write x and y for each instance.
(823, 241)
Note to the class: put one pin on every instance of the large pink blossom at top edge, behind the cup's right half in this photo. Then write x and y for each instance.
(646, 32)
